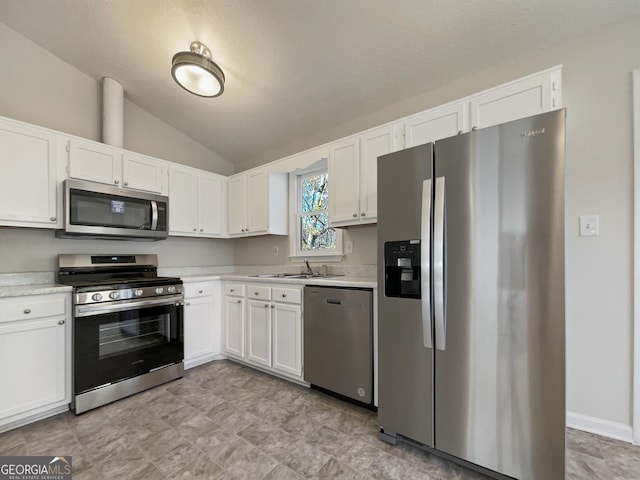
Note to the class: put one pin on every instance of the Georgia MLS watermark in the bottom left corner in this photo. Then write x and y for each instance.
(35, 468)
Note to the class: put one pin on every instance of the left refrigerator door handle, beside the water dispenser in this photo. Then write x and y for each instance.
(425, 264)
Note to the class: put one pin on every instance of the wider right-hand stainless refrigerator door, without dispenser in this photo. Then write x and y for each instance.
(500, 375)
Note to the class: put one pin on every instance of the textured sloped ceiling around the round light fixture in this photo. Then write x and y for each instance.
(295, 67)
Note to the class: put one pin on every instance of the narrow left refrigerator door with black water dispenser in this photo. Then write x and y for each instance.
(405, 375)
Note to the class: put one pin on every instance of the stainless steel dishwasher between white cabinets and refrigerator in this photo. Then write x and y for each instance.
(338, 341)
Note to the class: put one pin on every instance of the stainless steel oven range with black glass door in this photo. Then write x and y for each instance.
(127, 326)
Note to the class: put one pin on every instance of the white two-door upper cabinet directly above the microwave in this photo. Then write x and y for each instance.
(102, 163)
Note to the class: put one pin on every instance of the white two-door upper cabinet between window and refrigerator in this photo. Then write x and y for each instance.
(352, 166)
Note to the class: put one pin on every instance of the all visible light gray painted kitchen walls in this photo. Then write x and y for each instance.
(597, 92)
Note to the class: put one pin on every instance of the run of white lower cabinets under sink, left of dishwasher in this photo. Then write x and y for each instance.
(263, 326)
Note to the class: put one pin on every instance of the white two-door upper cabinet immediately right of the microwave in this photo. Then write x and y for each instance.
(197, 202)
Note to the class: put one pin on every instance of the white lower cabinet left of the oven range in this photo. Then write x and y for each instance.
(35, 357)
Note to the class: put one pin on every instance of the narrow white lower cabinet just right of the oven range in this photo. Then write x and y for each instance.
(201, 322)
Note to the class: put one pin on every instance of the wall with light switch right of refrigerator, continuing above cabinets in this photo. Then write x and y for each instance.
(597, 91)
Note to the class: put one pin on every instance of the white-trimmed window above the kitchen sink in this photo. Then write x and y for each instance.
(313, 235)
